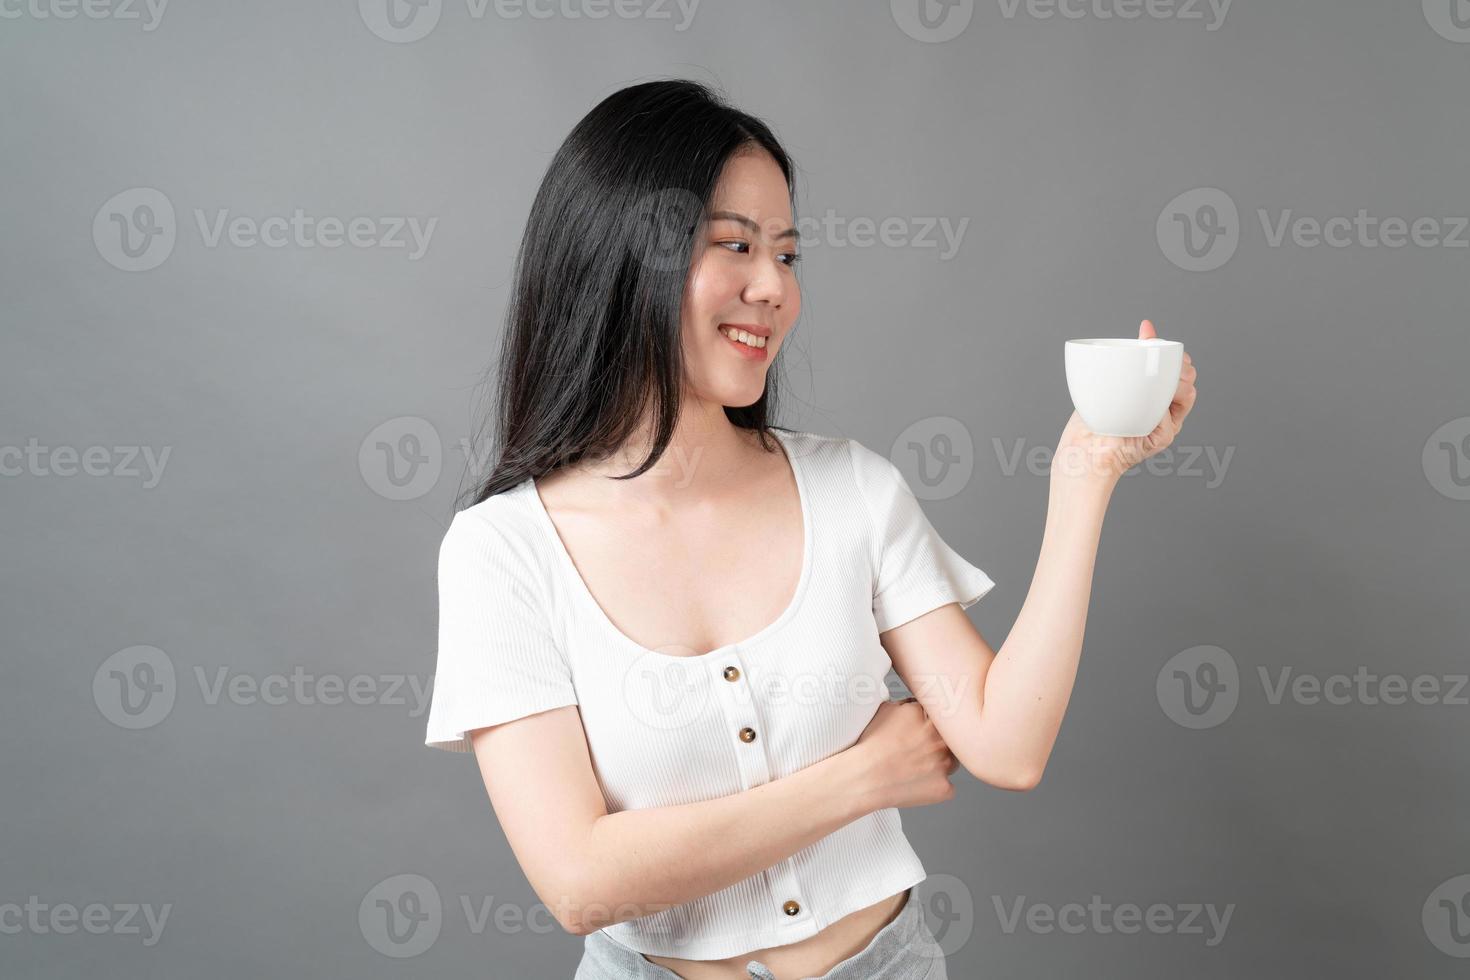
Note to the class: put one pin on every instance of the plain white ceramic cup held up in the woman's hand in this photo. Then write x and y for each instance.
(1124, 387)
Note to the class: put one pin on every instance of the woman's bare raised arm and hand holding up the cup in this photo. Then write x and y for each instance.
(1002, 712)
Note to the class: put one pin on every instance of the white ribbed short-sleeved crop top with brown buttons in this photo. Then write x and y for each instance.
(520, 633)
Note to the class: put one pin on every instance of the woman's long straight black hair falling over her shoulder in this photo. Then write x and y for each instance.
(593, 333)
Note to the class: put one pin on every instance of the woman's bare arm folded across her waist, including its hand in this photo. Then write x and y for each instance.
(595, 869)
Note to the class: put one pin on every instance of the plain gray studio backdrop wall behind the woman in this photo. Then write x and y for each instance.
(274, 544)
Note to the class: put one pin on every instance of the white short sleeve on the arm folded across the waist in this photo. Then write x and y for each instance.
(498, 657)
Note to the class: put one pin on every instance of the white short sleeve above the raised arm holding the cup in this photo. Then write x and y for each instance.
(917, 571)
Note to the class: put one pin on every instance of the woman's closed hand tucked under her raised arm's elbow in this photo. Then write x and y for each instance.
(906, 760)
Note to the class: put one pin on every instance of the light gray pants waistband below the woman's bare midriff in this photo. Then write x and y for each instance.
(903, 950)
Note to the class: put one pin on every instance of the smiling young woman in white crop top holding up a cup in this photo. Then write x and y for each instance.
(665, 624)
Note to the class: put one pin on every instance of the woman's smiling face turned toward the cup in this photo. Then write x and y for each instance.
(742, 278)
